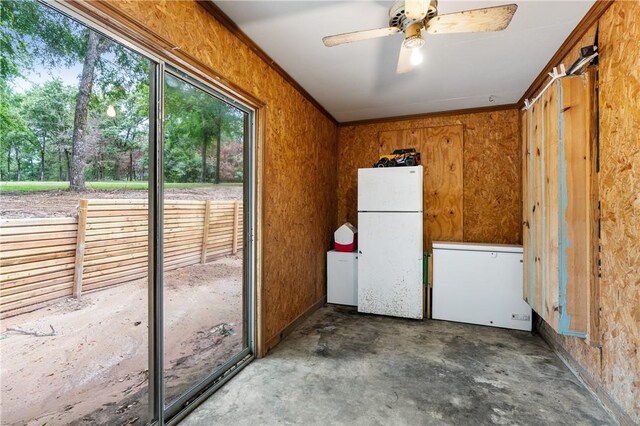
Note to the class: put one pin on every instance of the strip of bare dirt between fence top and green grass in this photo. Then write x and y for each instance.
(16, 205)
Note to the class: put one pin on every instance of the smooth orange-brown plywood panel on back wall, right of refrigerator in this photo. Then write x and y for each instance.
(441, 152)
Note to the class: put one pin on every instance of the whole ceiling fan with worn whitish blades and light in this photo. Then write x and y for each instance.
(412, 16)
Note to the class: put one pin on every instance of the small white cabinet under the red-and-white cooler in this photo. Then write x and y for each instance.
(342, 278)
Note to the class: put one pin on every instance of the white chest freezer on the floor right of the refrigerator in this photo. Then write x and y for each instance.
(479, 284)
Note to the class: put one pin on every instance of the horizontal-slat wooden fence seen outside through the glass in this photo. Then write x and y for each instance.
(45, 259)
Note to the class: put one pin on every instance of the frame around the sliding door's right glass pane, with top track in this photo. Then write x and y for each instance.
(159, 63)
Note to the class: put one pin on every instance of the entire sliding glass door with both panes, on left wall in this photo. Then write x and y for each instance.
(125, 237)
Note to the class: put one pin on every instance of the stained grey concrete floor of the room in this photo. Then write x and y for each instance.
(341, 367)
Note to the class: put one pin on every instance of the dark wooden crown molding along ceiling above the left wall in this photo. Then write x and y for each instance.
(228, 23)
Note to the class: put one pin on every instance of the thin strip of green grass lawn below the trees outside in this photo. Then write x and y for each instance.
(48, 186)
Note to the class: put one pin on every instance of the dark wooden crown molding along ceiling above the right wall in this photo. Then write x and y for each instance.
(592, 16)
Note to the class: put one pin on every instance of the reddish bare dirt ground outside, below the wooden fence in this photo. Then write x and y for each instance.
(93, 370)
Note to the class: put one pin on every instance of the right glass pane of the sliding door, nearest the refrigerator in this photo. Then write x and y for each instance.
(205, 186)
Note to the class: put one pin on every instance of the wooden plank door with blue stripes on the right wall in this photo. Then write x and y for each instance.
(561, 207)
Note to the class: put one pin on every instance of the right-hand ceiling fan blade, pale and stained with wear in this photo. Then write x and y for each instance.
(471, 21)
